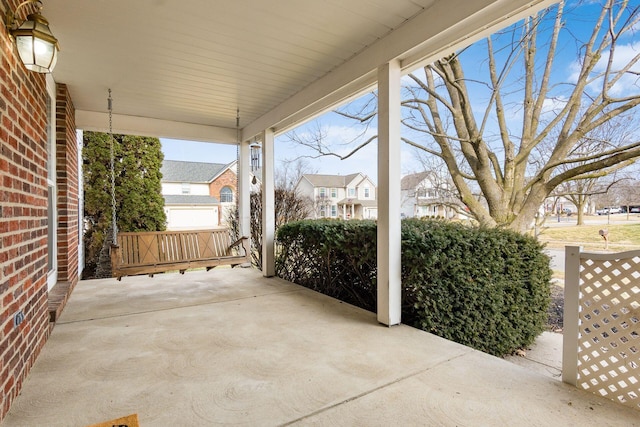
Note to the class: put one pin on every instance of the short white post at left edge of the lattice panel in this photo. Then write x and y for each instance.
(571, 314)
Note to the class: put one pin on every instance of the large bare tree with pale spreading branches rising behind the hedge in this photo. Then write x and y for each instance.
(512, 134)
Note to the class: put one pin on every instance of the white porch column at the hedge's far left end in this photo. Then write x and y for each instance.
(268, 205)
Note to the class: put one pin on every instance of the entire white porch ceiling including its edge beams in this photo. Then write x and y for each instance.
(180, 68)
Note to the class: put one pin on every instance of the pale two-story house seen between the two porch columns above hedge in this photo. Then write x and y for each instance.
(340, 196)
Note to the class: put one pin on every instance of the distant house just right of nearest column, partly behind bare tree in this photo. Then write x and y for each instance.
(423, 194)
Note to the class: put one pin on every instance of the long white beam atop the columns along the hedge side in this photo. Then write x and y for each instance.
(439, 29)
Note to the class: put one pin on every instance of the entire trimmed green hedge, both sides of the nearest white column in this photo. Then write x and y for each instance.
(485, 288)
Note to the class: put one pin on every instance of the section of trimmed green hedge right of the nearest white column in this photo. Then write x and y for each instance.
(485, 288)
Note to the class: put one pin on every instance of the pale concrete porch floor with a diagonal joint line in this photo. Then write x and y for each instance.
(231, 347)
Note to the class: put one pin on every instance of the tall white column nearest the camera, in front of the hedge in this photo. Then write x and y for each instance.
(389, 238)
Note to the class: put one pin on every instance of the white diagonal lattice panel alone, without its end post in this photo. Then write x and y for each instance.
(609, 331)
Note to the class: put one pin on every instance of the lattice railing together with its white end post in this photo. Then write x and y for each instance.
(601, 349)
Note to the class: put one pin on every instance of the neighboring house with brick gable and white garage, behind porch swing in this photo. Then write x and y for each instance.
(197, 194)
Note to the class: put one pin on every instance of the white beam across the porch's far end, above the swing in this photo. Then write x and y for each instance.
(145, 126)
